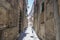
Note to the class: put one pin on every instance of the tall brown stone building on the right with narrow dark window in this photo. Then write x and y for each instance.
(46, 19)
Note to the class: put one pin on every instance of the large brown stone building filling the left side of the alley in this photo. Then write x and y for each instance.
(11, 18)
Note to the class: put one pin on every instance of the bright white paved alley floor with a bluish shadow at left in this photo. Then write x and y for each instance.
(28, 34)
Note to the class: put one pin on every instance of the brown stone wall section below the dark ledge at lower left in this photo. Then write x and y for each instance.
(10, 33)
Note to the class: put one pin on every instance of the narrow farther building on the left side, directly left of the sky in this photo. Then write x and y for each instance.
(25, 14)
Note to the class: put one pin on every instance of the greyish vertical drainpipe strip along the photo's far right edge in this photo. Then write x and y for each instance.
(57, 19)
